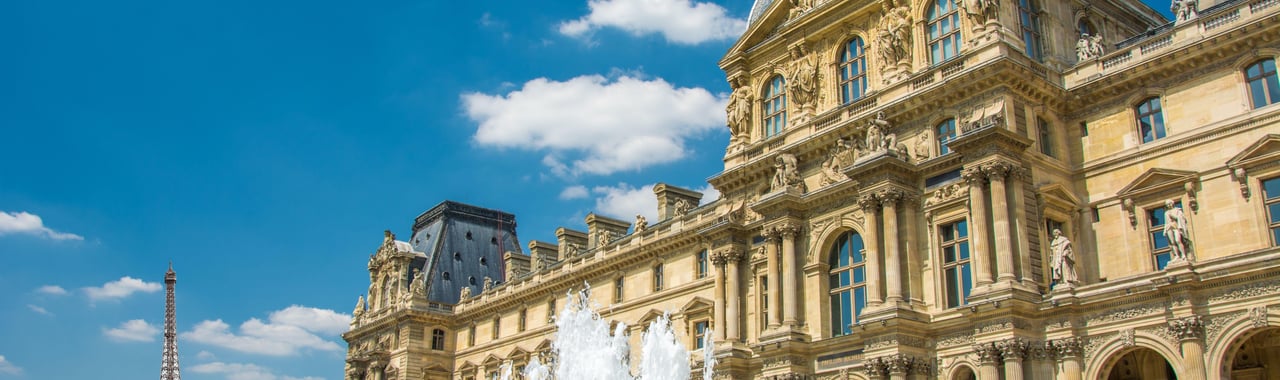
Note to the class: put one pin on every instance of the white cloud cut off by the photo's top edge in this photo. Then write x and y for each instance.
(679, 21)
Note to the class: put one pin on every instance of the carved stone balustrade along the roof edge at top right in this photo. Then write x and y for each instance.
(1135, 52)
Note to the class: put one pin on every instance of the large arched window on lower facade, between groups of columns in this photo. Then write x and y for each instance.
(848, 282)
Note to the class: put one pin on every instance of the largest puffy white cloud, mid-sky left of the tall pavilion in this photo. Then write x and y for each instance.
(596, 125)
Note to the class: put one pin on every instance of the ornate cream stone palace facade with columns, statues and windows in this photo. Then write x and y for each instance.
(935, 190)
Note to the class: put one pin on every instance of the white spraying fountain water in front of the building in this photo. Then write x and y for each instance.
(587, 350)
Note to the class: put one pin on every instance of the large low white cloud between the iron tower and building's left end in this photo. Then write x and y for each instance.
(289, 332)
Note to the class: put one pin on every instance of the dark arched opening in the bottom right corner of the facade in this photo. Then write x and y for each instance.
(1254, 358)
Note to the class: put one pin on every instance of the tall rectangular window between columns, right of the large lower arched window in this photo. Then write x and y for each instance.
(963, 265)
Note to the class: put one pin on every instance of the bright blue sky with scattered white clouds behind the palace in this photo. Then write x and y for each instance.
(263, 146)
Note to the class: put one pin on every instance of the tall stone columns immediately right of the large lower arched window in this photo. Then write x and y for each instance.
(886, 204)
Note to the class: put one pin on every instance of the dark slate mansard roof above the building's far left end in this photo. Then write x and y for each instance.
(465, 242)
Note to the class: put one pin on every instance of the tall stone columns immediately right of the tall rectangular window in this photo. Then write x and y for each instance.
(1004, 245)
